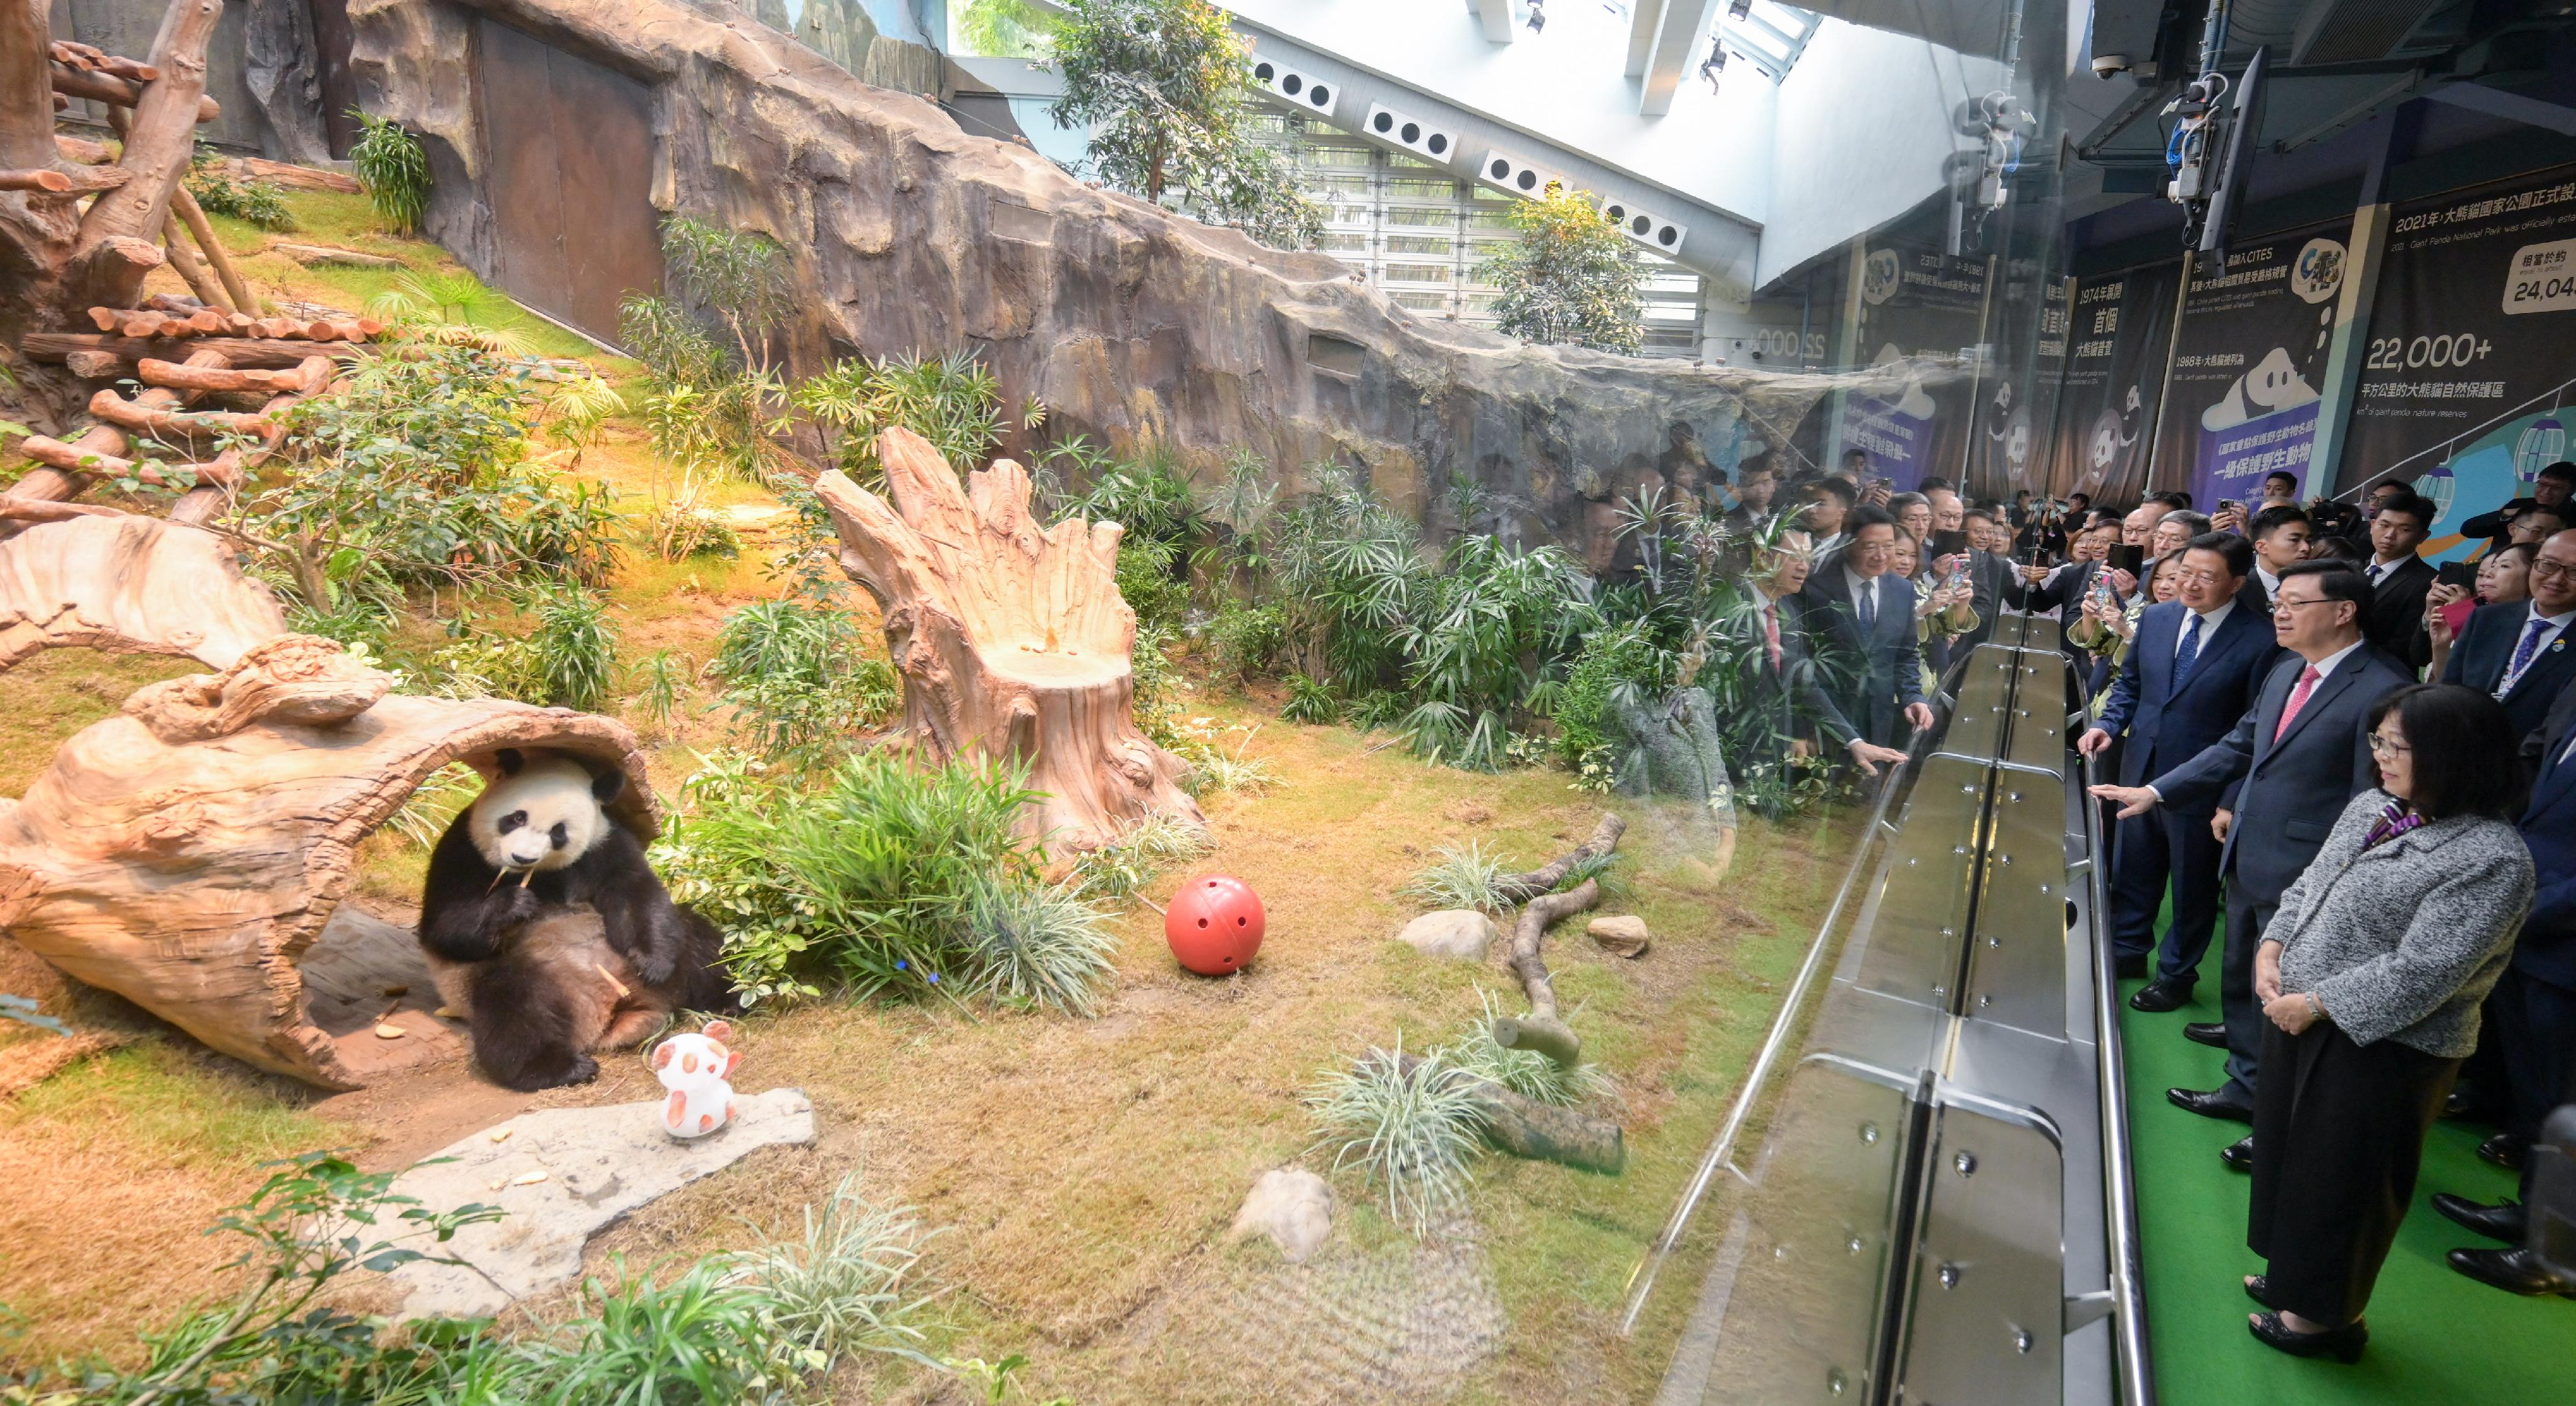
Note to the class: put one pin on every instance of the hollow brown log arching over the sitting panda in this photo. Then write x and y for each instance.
(189, 851)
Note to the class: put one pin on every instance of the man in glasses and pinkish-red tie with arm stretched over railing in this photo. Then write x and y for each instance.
(2278, 779)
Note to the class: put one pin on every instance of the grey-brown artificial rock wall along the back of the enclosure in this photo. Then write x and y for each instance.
(1135, 326)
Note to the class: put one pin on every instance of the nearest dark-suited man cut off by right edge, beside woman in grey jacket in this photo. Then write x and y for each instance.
(2536, 1008)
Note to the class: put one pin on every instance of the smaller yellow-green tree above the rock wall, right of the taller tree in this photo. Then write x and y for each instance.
(1570, 279)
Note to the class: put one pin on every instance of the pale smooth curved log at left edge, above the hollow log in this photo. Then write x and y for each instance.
(130, 586)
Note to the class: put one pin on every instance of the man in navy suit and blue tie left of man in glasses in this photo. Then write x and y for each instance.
(2193, 673)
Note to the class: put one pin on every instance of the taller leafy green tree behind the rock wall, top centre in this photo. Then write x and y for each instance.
(1163, 91)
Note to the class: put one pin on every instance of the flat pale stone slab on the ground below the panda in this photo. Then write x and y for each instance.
(563, 1176)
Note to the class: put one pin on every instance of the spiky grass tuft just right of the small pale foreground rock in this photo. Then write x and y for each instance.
(1410, 1127)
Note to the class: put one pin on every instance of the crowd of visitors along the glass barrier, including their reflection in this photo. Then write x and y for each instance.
(2345, 766)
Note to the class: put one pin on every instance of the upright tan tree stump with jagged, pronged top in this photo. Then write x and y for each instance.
(1011, 640)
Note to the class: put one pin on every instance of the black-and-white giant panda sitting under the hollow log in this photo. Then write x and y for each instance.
(550, 931)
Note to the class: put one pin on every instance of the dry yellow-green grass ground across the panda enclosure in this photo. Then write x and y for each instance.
(1086, 1170)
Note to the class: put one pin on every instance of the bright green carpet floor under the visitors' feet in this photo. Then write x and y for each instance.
(2436, 1338)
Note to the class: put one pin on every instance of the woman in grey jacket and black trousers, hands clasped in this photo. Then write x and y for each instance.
(2371, 977)
